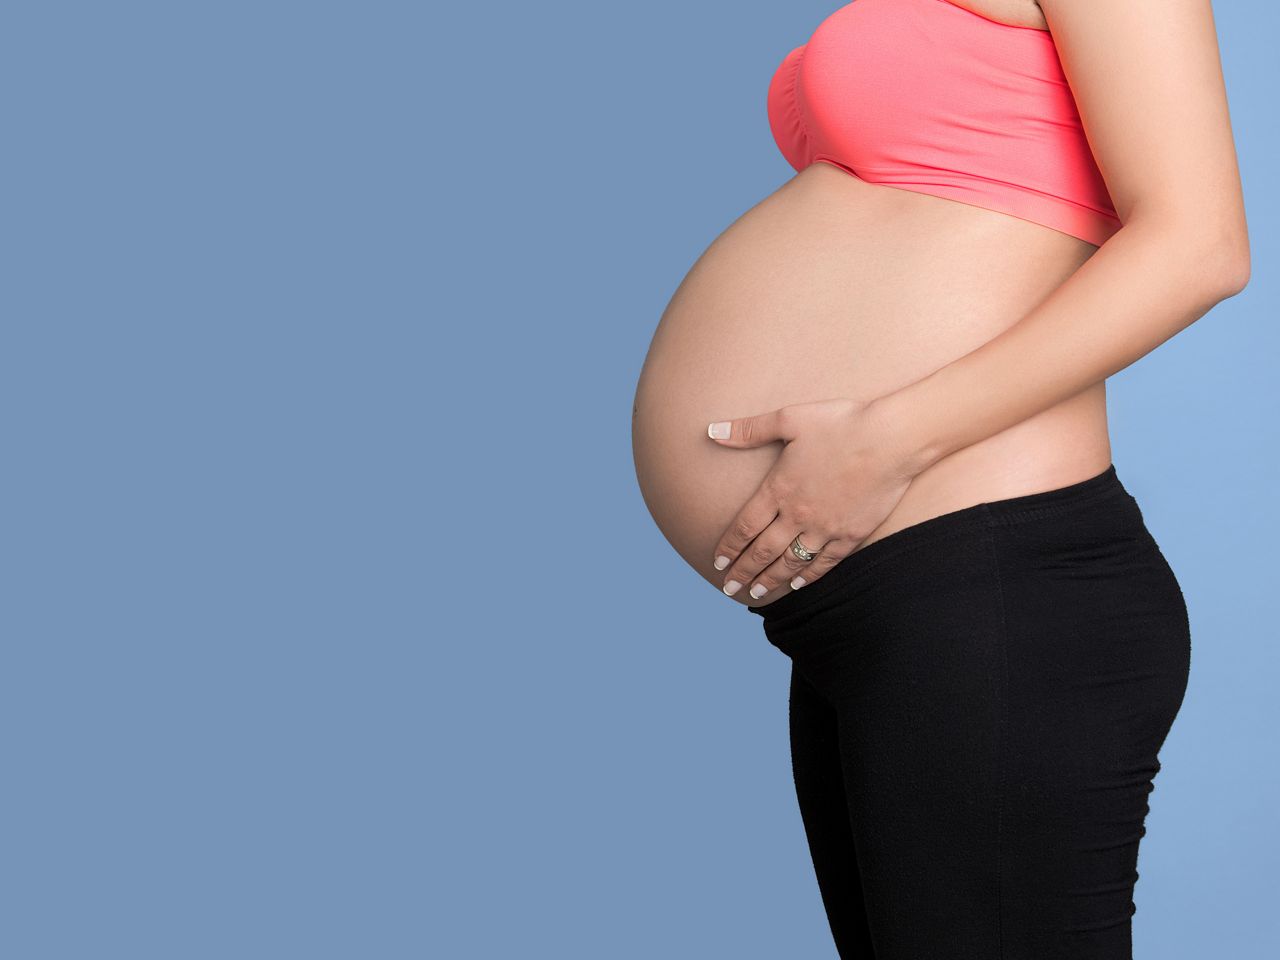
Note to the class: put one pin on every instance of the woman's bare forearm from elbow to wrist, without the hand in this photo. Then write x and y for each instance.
(1137, 291)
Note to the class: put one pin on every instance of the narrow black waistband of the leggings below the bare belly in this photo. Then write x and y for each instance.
(967, 520)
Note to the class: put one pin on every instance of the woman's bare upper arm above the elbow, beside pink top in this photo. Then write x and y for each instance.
(1148, 80)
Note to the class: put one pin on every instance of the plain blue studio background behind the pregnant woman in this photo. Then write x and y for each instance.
(335, 624)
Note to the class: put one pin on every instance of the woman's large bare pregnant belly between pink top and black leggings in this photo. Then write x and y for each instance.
(834, 287)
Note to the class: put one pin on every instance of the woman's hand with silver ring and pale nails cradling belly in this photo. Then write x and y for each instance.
(840, 474)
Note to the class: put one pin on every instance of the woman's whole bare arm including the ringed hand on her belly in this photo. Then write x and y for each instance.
(1150, 90)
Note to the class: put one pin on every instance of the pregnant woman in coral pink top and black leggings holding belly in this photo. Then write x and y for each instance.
(875, 414)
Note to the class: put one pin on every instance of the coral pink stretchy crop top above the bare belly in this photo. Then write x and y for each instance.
(934, 98)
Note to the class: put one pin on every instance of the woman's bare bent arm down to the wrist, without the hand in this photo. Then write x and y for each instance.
(1149, 85)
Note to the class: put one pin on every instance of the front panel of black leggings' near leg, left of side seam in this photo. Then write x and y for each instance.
(912, 661)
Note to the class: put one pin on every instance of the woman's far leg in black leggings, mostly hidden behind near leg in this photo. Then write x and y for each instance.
(816, 765)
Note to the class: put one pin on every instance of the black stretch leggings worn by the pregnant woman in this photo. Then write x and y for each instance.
(977, 705)
